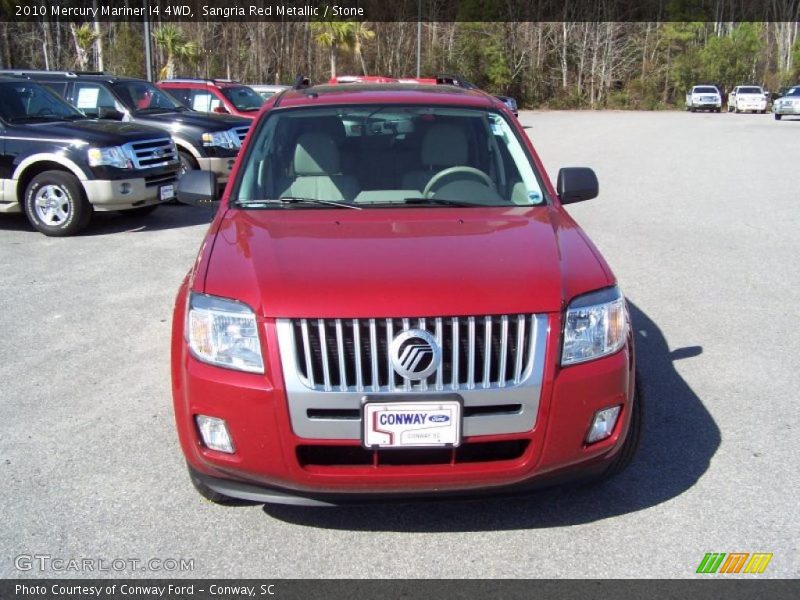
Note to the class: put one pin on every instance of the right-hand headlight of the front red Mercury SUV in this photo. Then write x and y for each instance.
(596, 325)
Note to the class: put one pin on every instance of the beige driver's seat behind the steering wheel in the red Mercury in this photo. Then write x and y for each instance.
(444, 146)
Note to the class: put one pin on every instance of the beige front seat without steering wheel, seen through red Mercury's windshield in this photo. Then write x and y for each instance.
(316, 171)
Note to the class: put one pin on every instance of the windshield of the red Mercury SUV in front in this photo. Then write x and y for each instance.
(386, 155)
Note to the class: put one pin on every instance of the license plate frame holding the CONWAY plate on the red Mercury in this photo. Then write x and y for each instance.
(412, 432)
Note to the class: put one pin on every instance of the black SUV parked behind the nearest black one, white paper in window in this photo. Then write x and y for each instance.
(205, 141)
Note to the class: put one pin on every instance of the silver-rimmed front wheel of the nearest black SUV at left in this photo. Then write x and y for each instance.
(55, 204)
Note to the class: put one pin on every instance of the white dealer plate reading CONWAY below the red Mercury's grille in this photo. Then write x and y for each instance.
(408, 424)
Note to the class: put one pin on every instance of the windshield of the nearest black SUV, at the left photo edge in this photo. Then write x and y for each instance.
(26, 101)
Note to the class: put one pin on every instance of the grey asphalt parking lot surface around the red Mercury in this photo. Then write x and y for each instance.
(698, 216)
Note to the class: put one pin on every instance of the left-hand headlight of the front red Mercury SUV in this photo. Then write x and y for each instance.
(223, 332)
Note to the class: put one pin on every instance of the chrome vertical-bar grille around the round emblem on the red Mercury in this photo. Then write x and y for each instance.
(353, 354)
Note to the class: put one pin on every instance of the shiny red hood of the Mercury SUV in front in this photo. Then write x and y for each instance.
(402, 262)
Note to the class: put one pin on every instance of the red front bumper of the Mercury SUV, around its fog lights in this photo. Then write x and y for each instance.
(273, 464)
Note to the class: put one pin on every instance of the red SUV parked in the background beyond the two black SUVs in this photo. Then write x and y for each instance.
(215, 95)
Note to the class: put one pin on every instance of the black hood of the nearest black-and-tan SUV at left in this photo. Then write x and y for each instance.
(93, 132)
